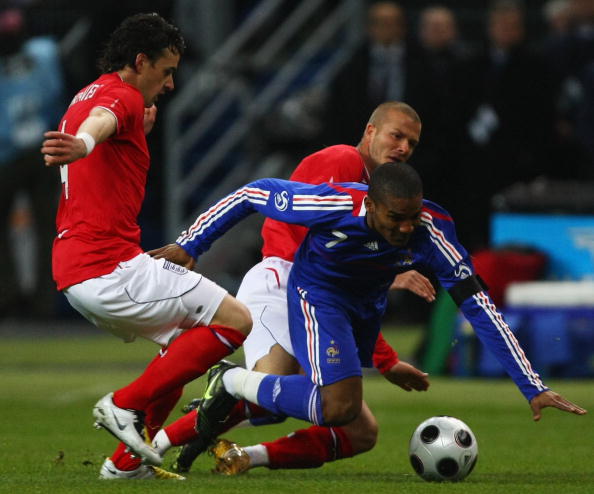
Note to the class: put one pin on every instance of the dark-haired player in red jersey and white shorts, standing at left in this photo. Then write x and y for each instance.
(98, 263)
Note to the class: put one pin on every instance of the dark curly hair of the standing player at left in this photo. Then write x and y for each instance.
(140, 33)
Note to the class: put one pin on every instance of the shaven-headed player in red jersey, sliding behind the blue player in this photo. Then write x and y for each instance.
(392, 134)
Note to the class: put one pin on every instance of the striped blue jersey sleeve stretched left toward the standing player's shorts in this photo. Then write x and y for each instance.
(283, 200)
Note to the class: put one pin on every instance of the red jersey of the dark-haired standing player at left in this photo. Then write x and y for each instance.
(102, 194)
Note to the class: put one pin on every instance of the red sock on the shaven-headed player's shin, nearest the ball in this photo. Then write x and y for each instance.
(309, 448)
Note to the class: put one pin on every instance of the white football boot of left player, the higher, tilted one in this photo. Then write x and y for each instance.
(127, 425)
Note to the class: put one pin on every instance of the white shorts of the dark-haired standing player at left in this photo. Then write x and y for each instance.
(153, 299)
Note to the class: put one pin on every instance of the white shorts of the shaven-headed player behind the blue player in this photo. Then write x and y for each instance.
(264, 291)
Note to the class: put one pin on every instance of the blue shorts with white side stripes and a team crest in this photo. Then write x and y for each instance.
(330, 340)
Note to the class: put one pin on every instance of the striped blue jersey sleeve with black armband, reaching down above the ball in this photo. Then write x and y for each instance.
(452, 264)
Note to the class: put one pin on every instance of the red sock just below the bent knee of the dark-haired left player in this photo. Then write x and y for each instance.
(189, 356)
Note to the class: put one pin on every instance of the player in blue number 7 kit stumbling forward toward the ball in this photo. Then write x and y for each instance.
(358, 239)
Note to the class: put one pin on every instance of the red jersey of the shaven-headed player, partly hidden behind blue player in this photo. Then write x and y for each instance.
(339, 163)
